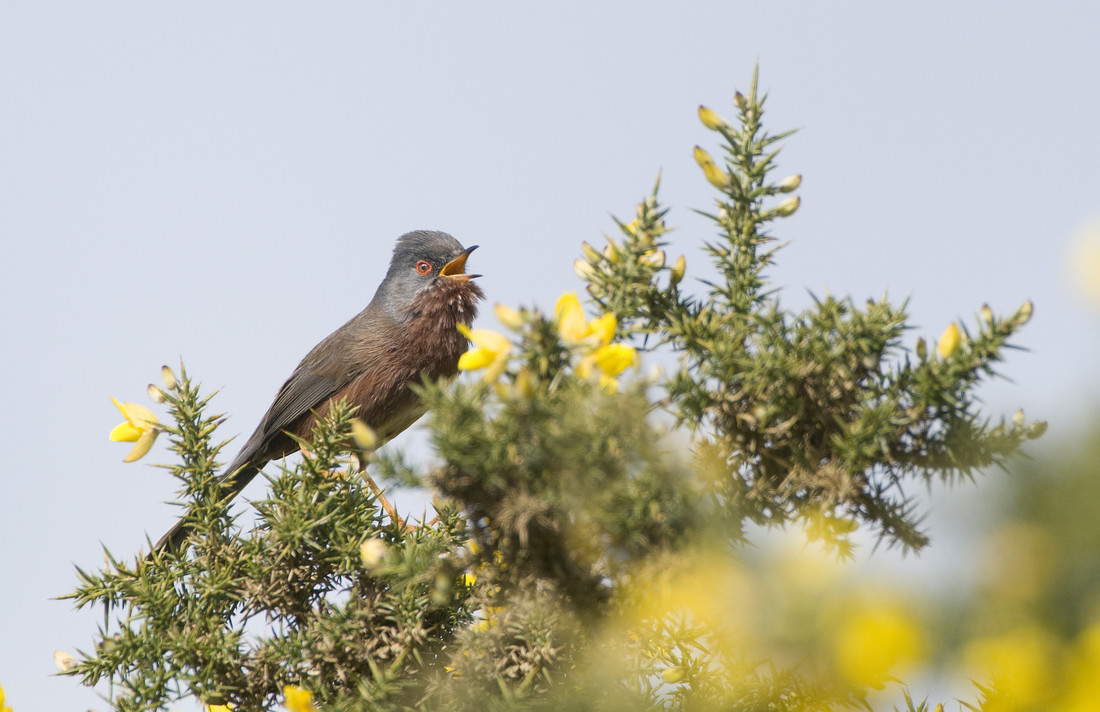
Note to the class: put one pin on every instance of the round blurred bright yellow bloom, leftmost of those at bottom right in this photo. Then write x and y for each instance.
(875, 639)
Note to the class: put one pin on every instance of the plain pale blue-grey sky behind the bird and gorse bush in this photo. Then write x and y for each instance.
(223, 183)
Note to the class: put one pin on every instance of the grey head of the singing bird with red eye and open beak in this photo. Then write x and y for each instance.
(428, 272)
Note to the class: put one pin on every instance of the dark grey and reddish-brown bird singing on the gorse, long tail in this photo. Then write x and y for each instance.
(409, 332)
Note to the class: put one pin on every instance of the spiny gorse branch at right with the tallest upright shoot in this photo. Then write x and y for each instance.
(821, 415)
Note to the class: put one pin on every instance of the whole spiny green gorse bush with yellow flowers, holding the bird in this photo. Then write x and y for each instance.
(588, 546)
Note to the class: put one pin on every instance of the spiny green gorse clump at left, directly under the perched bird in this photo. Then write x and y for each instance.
(236, 618)
